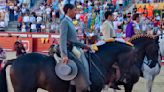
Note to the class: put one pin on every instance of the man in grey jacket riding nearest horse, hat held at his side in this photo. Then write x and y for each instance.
(68, 39)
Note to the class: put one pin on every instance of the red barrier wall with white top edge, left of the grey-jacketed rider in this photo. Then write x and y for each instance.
(36, 42)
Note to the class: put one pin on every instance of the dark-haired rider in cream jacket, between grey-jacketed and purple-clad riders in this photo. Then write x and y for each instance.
(107, 30)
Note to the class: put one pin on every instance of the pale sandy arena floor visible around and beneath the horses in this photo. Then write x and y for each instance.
(139, 87)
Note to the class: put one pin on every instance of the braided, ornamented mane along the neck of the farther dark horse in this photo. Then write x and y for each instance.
(138, 36)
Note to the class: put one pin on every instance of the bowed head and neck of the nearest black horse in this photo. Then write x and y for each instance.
(117, 52)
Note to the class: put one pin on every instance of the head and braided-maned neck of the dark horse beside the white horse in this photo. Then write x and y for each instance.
(147, 46)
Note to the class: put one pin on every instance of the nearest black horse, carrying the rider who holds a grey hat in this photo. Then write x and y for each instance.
(32, 71)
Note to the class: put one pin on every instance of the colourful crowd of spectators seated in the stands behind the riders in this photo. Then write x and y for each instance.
(89, 18)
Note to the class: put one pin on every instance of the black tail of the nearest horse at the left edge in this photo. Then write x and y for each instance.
(3, 80)
